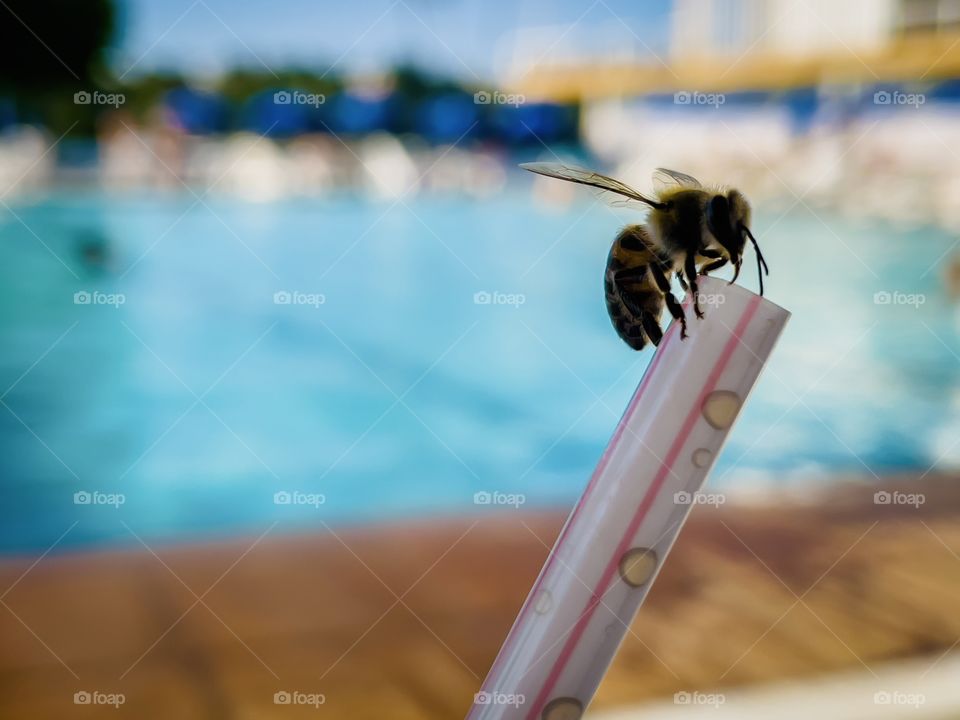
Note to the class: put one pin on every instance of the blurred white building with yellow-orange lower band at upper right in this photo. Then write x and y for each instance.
(732, 45)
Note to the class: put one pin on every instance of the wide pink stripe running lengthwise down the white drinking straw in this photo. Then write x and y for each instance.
(665, 467)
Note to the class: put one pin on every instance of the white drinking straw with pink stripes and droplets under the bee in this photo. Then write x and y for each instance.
(617, 537)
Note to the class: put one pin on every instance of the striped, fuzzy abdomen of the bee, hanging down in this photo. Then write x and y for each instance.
(634, 301)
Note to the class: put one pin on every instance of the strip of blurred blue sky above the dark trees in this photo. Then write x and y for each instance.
(469, 39)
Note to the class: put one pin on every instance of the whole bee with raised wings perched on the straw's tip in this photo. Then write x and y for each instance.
(690, 231)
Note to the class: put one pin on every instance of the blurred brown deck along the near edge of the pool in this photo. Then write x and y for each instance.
(404, 621)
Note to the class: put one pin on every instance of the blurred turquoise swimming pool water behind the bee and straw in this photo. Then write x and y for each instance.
(399, 396)
